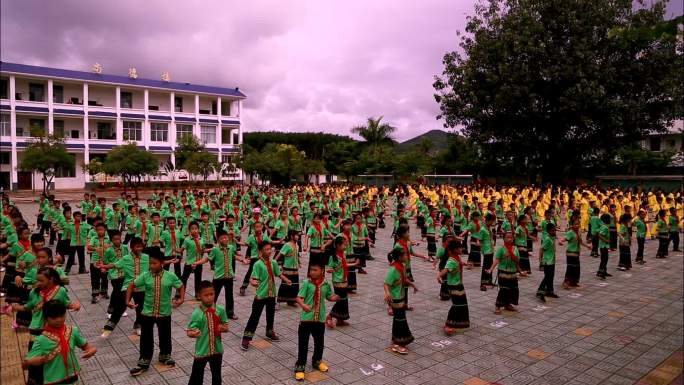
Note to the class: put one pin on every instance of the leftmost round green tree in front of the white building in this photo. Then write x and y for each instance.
(45, 154)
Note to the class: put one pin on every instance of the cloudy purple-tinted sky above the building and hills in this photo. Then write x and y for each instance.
(304, 65)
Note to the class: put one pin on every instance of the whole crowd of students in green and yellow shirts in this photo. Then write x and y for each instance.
(147, 253)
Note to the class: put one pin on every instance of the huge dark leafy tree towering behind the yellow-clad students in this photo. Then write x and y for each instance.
(553, 85)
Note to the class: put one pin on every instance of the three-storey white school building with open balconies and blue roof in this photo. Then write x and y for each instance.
(94, 112)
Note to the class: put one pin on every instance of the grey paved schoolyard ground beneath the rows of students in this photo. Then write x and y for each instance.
(627, 329)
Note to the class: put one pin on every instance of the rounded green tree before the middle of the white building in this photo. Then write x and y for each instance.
(131, 164)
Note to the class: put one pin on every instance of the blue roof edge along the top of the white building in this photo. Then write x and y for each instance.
(117, 79)
